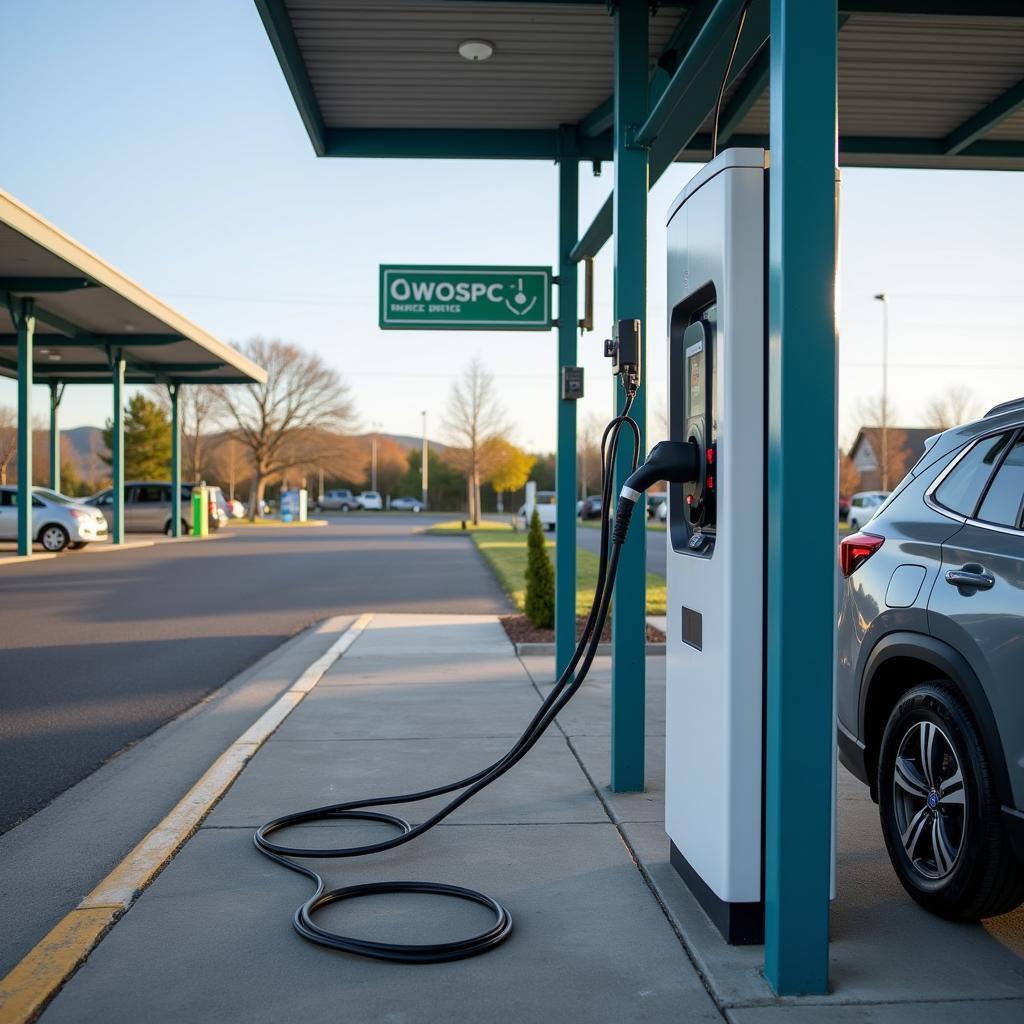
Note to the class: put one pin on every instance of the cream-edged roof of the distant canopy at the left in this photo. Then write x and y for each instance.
(86, 310)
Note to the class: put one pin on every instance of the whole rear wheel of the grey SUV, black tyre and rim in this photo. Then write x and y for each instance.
(941, 815)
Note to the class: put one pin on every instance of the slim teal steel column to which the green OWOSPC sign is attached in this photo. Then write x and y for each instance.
(566, 463)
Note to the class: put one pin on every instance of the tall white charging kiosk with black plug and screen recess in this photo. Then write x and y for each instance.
(716, 542)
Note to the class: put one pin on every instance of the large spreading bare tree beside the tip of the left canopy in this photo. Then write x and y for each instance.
(302, 393)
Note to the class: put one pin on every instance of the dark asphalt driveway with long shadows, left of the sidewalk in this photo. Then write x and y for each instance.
(102, 650)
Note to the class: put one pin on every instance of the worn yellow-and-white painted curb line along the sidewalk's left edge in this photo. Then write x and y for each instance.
(40, 975)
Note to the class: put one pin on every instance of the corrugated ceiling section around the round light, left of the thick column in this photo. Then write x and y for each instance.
(395, 64)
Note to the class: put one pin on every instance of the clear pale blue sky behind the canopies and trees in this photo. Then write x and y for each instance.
(162, 137)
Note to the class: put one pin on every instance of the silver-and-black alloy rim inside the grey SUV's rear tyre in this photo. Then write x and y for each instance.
(930, 801)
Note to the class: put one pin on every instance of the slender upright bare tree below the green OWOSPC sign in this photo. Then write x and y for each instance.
(475, 418)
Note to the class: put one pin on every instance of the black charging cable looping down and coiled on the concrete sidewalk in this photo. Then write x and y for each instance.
(566, 688)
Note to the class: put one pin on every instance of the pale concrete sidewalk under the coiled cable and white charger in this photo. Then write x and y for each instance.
(605, 931)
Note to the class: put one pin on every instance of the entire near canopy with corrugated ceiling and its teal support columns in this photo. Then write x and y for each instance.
(911, 83)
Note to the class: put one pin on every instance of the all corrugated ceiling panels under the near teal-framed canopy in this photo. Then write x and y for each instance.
(394, 64)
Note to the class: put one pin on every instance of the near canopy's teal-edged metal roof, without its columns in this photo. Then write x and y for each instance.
(923, 83)
